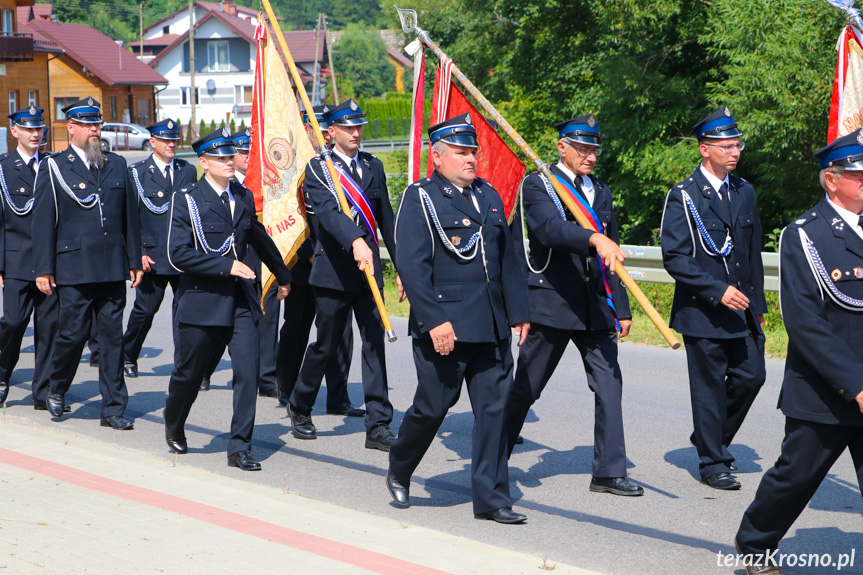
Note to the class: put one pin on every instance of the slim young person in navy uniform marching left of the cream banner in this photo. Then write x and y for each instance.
(213, 225)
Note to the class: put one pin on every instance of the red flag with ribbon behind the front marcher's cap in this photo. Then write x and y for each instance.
(498, 164)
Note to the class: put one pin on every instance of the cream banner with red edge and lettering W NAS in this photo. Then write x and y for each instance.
(279, 154)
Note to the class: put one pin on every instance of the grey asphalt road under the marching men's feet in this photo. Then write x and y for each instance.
(679, 526)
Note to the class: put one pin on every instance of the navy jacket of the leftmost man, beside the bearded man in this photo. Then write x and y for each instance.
(16, 245)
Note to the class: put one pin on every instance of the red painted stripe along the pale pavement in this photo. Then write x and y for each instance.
(356, 556)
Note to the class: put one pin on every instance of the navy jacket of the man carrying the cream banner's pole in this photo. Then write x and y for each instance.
(335, 267)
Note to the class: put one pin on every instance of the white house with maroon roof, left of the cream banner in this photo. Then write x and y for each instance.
(225, 53)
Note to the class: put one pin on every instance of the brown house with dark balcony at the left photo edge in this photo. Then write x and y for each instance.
(23, 64)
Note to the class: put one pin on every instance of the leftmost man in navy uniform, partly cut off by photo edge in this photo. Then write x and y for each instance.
(21, 297)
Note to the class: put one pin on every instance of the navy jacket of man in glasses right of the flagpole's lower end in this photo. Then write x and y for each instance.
(700, 278)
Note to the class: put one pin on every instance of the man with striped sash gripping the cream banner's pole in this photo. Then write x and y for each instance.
(342, 250)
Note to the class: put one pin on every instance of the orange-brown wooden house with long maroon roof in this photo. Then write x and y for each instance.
(91, 64)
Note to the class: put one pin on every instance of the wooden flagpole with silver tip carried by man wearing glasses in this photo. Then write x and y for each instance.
(409, 24)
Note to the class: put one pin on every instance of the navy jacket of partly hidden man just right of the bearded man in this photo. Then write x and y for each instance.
(154, 227)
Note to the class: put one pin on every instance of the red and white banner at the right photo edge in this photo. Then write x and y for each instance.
(846, 108)
